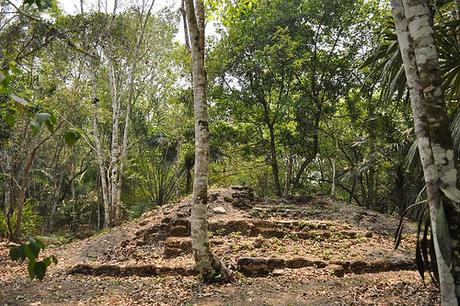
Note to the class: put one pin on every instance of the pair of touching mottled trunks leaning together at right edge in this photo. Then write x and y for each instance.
(413, 19)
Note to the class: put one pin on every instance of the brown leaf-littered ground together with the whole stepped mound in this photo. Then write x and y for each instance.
(301, 251)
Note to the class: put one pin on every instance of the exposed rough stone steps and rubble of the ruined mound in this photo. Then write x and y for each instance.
(171, 232)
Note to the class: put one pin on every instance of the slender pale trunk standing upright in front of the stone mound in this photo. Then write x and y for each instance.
(209, 266)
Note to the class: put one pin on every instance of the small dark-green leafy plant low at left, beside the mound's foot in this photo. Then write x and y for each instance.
(30, 251)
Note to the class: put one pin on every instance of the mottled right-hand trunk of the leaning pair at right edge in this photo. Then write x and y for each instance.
(426, 54)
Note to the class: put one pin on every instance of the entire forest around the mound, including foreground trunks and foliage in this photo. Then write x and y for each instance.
(121, 107)
